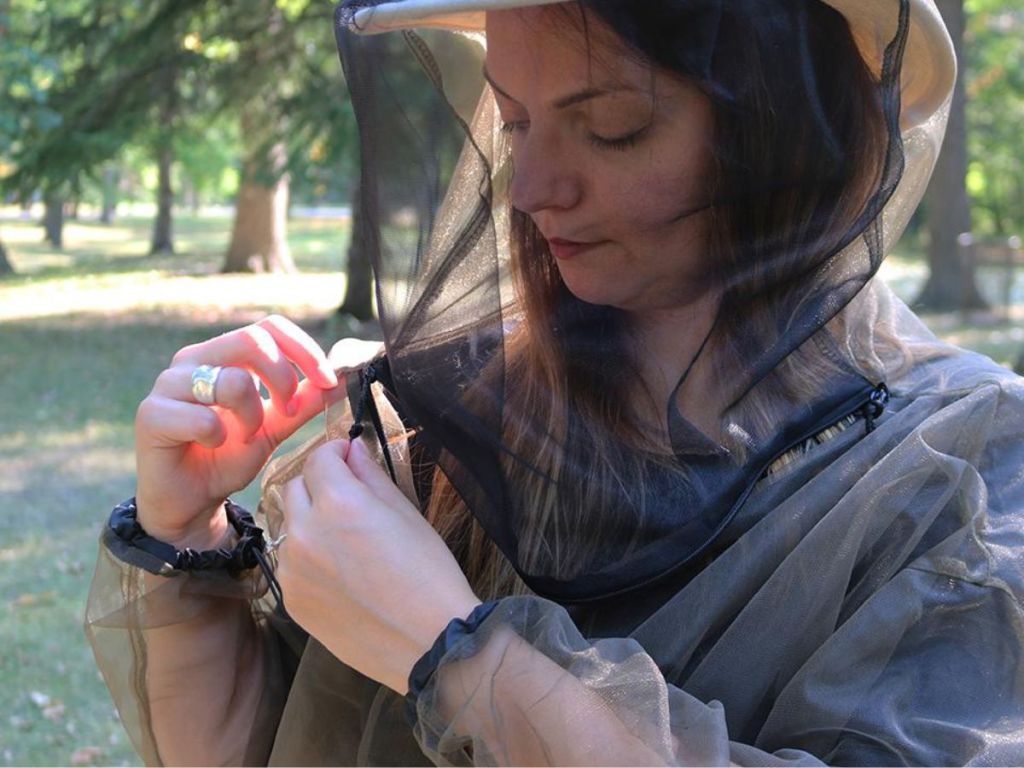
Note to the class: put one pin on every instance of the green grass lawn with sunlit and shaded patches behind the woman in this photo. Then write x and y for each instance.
(83, 334)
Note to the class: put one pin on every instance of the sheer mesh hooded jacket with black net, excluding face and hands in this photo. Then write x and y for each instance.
(822, 563)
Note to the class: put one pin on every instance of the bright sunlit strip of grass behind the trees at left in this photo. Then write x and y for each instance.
(105, 271)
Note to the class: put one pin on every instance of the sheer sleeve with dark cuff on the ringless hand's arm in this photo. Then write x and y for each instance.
(528, 690)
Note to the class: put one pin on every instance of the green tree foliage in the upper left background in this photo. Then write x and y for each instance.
(84, 81)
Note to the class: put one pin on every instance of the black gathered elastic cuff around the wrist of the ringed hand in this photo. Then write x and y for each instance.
(126, 531)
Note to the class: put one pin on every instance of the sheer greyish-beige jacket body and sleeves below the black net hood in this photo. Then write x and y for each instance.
(865, 610)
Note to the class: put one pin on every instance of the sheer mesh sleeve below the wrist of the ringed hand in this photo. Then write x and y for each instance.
(134, 615)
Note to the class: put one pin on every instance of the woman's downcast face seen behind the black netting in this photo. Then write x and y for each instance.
(611, 157)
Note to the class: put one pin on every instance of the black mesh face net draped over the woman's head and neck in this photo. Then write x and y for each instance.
(538, 199)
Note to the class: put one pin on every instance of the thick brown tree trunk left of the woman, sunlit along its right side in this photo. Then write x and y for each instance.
(260, 241)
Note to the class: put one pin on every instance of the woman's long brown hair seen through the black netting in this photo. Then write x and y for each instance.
(569, 403)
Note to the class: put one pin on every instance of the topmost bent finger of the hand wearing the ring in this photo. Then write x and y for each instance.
(252, 348)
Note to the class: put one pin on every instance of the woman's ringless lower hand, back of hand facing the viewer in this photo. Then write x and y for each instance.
(362, 571)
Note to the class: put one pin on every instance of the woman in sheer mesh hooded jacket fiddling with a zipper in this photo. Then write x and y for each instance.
(696, 489)
